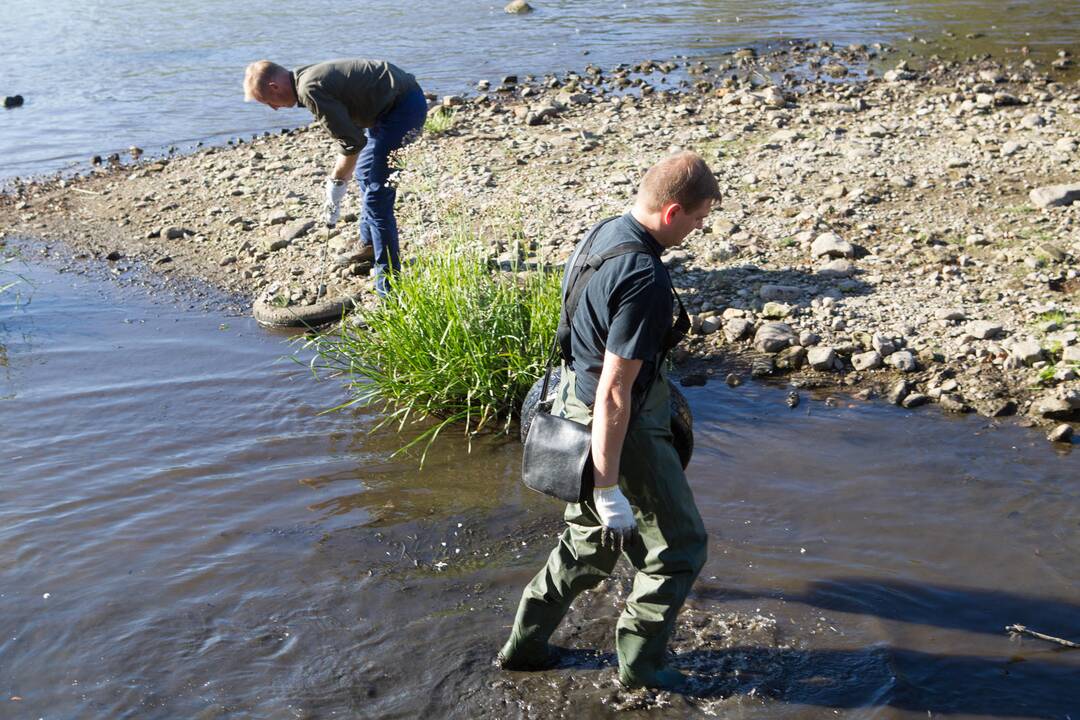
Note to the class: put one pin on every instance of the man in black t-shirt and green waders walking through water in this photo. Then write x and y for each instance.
(617, 337)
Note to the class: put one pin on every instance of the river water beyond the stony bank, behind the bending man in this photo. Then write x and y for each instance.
(102, 76)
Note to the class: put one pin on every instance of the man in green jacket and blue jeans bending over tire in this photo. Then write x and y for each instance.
(371, 108)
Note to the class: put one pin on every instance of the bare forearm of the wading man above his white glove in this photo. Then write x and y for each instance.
(612, 416)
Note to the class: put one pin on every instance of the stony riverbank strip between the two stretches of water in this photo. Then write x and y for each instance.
(877, 233)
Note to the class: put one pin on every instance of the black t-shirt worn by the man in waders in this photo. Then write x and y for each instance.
(626, 308)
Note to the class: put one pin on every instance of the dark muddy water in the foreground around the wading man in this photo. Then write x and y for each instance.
(184, 535)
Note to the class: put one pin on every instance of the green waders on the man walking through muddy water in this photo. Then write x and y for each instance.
(668, 560)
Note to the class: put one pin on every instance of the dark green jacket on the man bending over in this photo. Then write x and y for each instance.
(349, 96)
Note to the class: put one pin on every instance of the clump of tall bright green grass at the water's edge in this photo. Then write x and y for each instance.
(456, 343)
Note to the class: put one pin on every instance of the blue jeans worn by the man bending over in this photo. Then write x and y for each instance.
(379, 228)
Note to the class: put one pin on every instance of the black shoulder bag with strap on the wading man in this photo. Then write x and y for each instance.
(558, 457)
